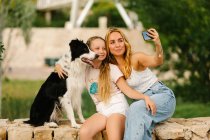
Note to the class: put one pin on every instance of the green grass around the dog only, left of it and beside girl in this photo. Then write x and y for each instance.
(18, 95)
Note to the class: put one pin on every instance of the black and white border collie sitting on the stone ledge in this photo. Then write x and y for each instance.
(57, 94)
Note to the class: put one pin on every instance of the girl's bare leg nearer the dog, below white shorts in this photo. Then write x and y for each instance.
(92, 126)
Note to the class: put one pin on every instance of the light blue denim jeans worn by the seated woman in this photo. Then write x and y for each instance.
(140, 122)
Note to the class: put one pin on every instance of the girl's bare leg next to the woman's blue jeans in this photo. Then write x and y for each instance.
(115, 126)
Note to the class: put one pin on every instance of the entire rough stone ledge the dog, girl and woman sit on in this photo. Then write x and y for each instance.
(173, 129)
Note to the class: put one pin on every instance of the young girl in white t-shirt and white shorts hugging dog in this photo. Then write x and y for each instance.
(105, 84)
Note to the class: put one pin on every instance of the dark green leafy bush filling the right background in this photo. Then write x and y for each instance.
(184, 28)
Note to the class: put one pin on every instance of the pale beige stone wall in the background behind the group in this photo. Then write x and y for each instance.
(27, 61)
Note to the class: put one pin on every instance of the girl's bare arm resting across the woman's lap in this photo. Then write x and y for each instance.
(133, 94)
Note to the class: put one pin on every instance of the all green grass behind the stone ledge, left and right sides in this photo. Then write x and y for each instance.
(17, 97)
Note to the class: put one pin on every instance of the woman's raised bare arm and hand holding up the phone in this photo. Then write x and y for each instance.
(154, 60)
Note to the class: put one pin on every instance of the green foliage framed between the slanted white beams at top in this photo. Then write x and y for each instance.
(107, 9)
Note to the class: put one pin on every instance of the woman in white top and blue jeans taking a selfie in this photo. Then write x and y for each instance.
(135, 67)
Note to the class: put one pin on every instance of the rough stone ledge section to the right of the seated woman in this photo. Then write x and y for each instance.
(186, 129)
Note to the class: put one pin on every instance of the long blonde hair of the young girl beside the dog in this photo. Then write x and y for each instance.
(104, 75)
